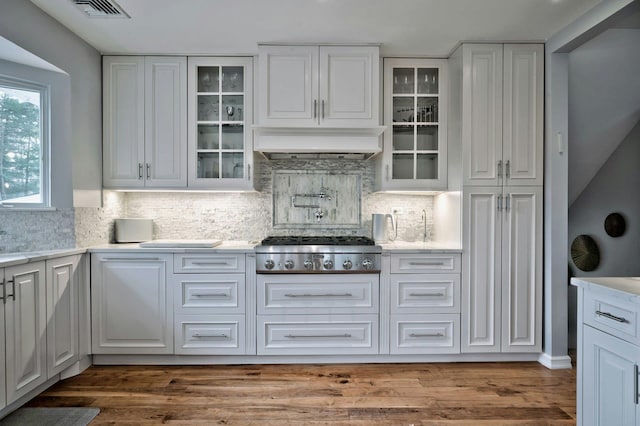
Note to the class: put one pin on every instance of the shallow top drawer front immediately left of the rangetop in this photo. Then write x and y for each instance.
(206, 262)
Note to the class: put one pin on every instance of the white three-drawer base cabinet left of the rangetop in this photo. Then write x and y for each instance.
(209, 304)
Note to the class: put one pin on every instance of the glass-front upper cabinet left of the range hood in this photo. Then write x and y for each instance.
(220, 119)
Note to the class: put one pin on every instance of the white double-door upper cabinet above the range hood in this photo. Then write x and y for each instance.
(319, 86)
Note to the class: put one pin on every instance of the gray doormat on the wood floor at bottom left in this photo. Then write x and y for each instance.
(51, 416)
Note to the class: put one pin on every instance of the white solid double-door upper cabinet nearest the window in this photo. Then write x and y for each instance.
(144, 122)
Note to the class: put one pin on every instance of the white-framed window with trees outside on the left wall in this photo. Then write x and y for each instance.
(24, 143)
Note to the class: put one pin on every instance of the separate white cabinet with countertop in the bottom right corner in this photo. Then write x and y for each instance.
(608, 373)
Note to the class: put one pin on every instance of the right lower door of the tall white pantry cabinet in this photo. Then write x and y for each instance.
(522, 270)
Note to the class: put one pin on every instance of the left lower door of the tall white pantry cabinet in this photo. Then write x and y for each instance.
(481, 271)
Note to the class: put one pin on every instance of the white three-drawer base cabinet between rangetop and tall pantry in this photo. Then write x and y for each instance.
(425, 303)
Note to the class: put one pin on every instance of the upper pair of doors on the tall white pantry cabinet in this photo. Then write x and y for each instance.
(502, 107)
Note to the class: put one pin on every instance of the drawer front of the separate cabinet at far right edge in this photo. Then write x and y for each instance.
(611, 315)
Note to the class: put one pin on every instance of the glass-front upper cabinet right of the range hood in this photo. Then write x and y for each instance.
(415, 115)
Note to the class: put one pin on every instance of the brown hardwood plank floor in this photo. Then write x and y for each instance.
(332, 394)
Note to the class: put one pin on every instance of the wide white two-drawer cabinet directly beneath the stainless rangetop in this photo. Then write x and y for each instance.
(334, 314)
